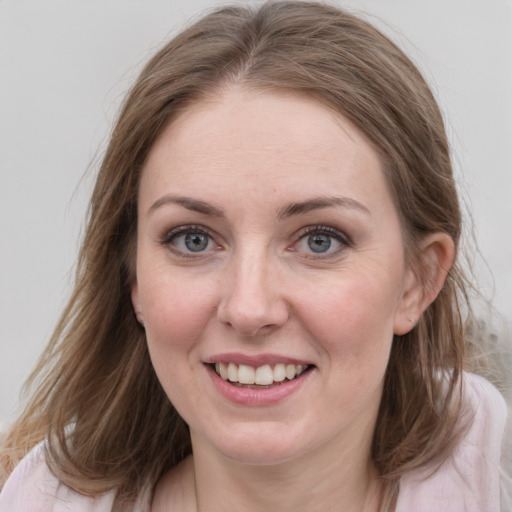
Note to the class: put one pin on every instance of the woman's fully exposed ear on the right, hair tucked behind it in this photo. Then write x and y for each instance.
(423, 284)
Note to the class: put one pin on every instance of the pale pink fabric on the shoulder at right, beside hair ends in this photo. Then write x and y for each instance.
(469, 479)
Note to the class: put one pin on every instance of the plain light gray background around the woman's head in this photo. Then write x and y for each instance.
(65, 65)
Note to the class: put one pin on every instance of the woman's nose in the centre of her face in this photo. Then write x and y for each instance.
(252, 301)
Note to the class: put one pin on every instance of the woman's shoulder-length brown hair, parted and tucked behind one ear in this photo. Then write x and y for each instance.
(96, 375)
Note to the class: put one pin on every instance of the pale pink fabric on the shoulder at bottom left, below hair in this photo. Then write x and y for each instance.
(32, 487)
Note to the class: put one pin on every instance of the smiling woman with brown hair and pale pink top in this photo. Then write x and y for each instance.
(267, 312)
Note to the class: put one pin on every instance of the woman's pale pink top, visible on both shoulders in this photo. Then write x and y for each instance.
(468, 481)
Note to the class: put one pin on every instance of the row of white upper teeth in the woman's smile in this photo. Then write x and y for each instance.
(262, 375)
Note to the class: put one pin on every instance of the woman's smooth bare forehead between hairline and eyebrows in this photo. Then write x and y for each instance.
(264, 141)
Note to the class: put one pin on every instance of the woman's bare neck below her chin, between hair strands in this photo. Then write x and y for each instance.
(347, 482)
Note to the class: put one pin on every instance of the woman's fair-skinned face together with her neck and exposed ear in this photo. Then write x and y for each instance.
(267, 237)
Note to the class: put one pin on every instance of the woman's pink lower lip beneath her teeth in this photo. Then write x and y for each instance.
(255, 397)
